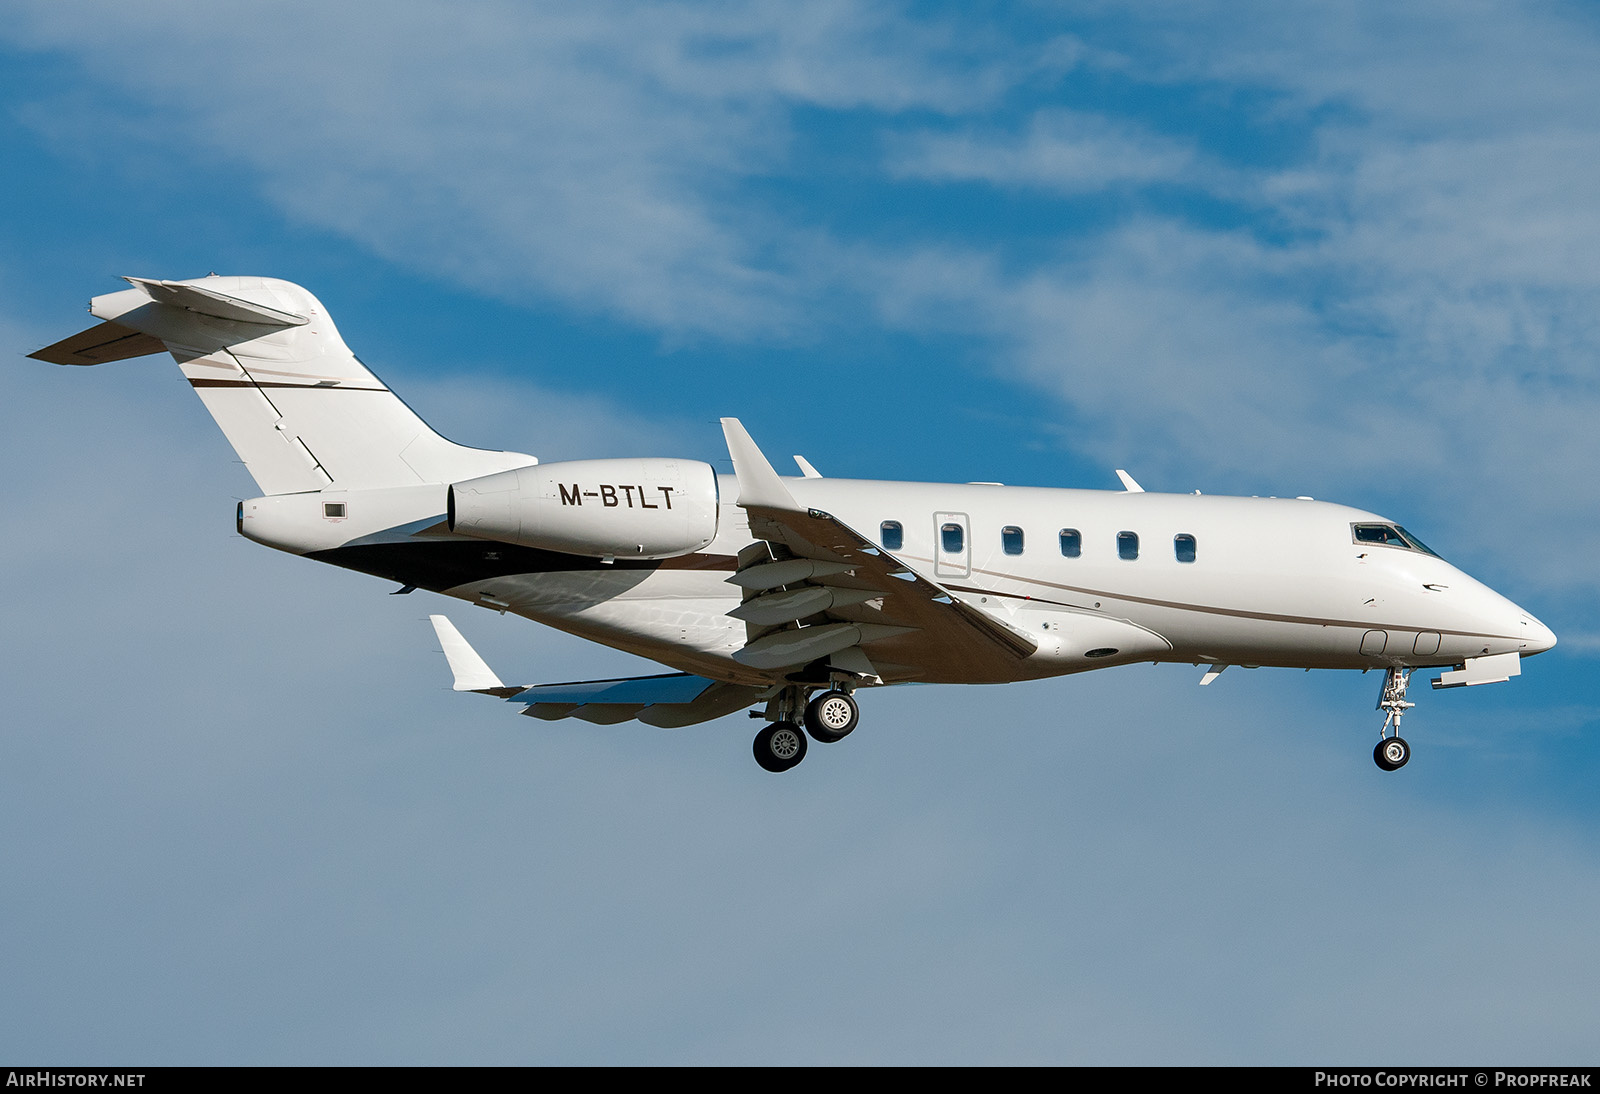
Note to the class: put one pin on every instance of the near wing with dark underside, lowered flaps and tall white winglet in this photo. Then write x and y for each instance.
(828, 593)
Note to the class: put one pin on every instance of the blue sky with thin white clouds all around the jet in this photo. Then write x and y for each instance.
(1337, 250)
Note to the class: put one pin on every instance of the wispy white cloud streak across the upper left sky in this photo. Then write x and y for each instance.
(583, 156)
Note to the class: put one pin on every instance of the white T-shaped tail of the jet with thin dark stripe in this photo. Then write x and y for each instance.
(290, 396)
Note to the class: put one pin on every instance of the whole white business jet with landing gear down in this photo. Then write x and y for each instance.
(791, 594)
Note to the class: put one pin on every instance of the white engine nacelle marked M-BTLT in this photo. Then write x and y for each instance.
(596, 508)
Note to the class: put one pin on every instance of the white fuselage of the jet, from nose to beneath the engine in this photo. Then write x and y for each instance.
(1271, 581)
